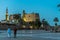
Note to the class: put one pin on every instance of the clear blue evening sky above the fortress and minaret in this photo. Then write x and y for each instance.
(46, 8)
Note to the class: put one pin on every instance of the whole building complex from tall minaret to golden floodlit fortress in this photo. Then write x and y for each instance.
(27, 21)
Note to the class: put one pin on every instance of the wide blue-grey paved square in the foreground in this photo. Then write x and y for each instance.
(28, 35)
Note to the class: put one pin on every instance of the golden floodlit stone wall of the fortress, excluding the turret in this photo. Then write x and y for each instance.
(31, 17)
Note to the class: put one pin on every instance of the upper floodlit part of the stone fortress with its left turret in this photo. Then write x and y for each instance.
(31, 17)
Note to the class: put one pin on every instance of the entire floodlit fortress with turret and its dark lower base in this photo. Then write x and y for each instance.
(30, 19)
